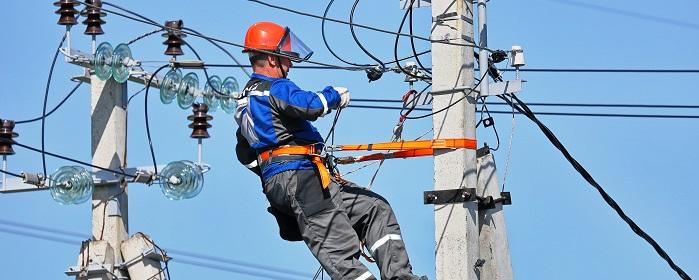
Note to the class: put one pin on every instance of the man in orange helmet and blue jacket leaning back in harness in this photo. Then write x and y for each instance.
(277, 141)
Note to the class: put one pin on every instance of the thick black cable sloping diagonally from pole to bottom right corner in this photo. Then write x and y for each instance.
(524, 109)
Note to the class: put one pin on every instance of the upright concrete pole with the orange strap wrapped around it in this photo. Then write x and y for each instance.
(456, 225)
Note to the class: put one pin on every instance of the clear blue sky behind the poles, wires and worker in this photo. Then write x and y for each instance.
(558, 226)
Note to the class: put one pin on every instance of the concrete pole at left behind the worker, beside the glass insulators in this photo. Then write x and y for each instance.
(109, 216)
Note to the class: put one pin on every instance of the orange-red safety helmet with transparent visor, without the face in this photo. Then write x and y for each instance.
(278, 39)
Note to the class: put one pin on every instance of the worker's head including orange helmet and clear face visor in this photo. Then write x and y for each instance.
(272, 48)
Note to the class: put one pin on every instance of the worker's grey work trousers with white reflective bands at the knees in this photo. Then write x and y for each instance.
(332, 222)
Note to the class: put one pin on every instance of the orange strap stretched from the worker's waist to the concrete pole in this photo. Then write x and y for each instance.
(406, 149)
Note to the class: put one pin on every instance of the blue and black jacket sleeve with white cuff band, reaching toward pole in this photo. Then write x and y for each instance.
(292, 101)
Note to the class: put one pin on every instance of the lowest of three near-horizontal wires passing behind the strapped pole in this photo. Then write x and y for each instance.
(610, 115)
